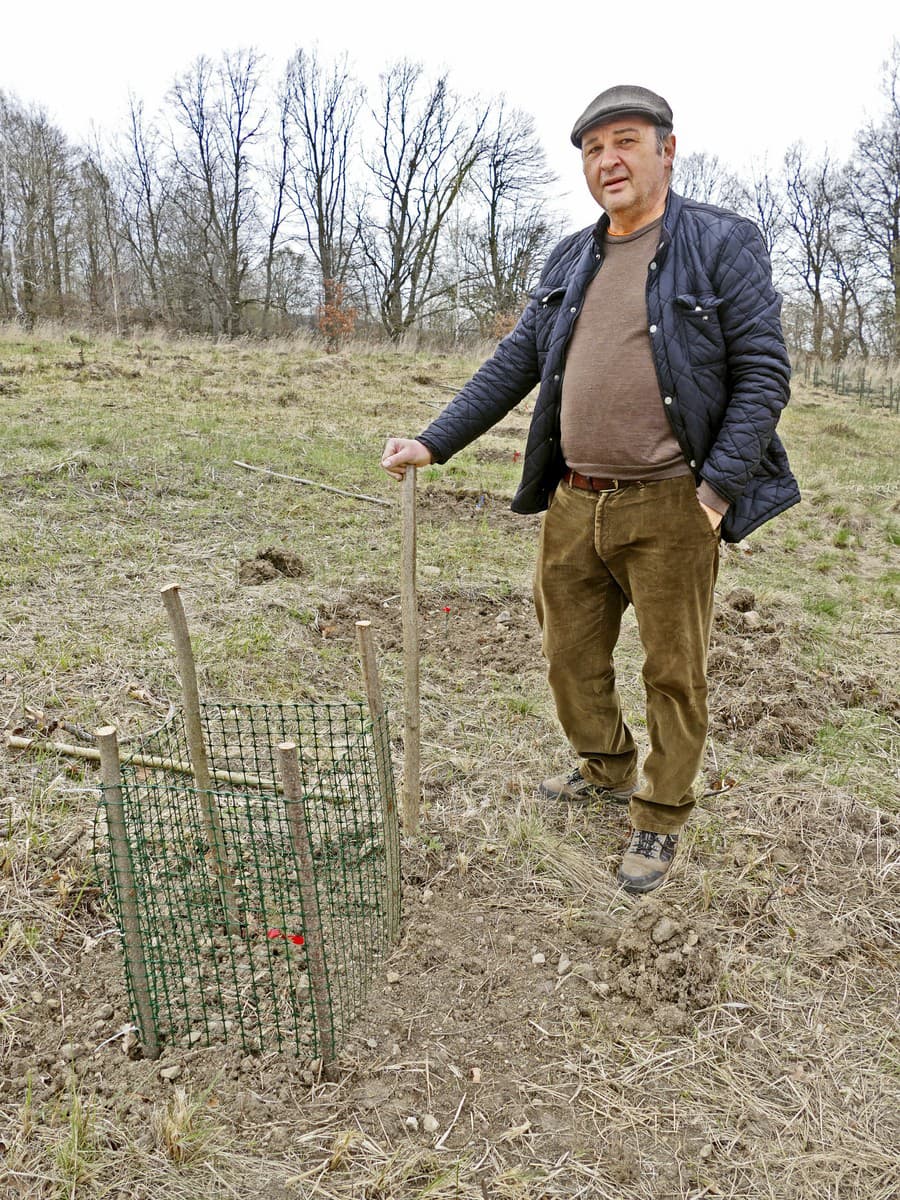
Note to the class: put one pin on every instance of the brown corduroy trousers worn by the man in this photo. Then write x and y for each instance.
(650, 545)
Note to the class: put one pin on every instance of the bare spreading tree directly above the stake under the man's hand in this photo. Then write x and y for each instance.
(428, 149)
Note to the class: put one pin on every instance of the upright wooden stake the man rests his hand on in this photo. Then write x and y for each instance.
(411, 794)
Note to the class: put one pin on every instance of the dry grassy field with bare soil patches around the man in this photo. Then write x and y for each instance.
(533, 1035)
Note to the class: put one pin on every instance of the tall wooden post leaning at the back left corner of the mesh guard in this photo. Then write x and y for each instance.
(197, 749)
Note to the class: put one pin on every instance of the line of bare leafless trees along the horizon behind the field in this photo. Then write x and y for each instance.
(248, 208)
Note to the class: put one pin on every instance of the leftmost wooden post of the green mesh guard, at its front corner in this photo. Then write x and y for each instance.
(125, 889)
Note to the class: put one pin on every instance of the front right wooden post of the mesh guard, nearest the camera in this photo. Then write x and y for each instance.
(290, 767)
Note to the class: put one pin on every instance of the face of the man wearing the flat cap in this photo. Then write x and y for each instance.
(626, 172)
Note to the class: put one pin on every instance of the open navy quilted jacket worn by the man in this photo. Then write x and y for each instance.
(716, 333)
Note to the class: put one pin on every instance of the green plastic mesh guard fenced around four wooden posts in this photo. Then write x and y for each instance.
(207, 985)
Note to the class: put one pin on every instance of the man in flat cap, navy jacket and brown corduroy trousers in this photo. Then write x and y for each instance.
(657, 343)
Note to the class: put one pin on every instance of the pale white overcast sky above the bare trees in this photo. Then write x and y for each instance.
(745, 80)
